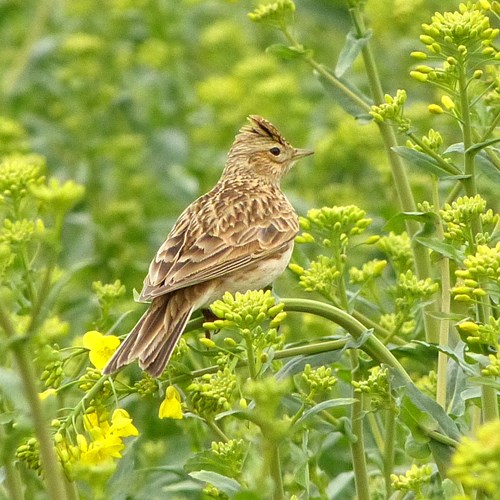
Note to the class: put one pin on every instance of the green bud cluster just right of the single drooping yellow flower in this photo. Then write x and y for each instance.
(211, 394)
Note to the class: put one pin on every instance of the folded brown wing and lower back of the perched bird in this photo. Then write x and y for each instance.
(208, 242)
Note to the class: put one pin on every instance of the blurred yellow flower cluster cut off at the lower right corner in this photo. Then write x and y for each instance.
(477, 460)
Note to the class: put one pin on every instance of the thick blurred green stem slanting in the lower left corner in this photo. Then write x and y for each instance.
(54, 477)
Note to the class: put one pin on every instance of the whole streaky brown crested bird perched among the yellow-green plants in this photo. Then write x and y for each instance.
(237, 237)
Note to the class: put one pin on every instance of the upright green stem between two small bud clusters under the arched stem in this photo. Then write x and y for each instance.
(358, 444)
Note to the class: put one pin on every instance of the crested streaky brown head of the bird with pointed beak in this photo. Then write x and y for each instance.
(259, 149)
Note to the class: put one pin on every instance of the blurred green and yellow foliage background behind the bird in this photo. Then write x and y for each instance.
(139, 100)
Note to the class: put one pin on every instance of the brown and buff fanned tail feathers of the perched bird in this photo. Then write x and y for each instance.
(155, 336)
